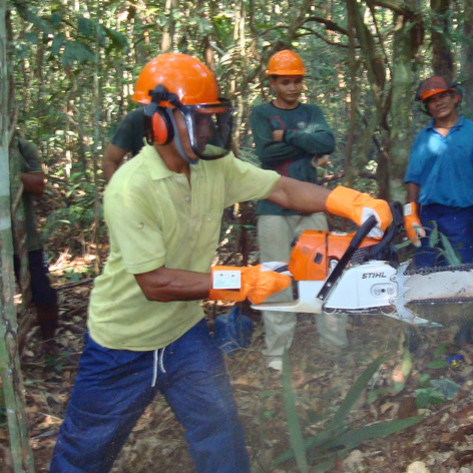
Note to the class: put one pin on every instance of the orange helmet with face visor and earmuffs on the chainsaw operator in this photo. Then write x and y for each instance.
(178, 81)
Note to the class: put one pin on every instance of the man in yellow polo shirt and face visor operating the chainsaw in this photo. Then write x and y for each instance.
(146, 327)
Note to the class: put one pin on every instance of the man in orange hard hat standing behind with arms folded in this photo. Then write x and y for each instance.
(290, 137)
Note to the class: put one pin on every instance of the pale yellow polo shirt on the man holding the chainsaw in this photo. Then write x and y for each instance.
(155, 218)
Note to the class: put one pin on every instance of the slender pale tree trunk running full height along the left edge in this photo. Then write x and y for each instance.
(10, 372)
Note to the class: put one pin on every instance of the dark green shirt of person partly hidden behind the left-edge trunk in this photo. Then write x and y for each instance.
(27, 155)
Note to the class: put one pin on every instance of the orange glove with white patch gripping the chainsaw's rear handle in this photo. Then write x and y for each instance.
(233, 283)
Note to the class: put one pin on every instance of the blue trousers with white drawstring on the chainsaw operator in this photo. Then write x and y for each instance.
(113, 387)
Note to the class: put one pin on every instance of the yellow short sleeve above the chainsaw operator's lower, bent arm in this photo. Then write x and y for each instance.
(135, 231)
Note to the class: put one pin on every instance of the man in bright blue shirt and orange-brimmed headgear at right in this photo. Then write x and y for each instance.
(439, 176)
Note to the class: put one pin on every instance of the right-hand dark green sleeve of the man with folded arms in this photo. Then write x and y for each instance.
(317, 138)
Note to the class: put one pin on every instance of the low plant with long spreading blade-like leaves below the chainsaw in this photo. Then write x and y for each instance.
(338, 436)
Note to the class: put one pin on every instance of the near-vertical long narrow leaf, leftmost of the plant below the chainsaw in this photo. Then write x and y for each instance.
(295, 433)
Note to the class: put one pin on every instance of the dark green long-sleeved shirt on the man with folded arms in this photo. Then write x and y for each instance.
(306, 134)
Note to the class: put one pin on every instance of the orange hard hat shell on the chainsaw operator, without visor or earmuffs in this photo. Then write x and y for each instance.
(185, 76)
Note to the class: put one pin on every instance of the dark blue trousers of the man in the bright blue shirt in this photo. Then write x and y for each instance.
(456, 224)
